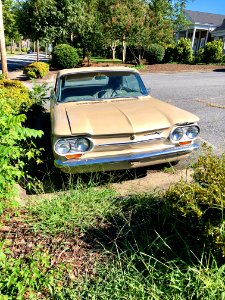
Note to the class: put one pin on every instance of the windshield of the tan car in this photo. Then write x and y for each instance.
(100, 85)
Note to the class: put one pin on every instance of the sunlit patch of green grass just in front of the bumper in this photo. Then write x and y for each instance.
(81, 208)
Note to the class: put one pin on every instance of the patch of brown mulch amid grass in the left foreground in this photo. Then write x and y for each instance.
(22, 241)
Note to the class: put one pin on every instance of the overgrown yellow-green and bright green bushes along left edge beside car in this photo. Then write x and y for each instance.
(16, 144)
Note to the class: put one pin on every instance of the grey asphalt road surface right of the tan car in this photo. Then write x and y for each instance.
(202, 93)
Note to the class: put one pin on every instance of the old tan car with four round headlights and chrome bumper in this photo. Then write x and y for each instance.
(104, 119)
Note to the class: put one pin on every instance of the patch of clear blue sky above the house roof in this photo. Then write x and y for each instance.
(211, 6)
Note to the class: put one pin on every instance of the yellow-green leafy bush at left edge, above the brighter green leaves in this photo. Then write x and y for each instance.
(17, 95)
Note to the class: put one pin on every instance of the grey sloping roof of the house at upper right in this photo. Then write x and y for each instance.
(204, 18)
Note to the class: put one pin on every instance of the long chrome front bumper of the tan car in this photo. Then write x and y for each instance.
(129, 158)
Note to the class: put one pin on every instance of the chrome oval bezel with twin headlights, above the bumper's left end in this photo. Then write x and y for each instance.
(76, 145)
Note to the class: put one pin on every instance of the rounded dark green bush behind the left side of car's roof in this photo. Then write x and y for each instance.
(64, 57)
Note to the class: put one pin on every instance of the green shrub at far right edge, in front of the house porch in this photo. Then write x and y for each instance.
(213, 52)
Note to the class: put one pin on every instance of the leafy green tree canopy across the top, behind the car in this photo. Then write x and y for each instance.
(99, 25)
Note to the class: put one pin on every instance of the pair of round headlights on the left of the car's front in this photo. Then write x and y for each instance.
(72, 145)
